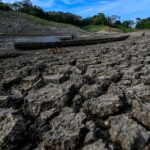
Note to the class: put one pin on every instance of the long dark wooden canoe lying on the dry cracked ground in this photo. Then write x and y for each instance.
(67, 43)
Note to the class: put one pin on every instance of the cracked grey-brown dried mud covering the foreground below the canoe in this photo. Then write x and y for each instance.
(89, 98)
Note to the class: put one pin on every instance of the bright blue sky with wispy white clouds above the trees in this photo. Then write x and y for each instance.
(126, 9)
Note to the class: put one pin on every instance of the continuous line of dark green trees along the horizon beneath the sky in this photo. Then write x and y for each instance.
(26, 6)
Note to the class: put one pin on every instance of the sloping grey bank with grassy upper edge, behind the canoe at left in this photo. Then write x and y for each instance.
(16, 22)
